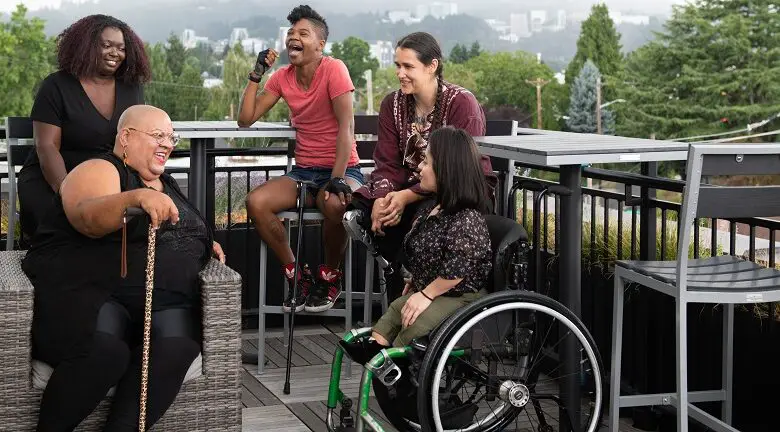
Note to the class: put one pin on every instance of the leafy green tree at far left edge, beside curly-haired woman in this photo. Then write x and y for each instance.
(26, 57)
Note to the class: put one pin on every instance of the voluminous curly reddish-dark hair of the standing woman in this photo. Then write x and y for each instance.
(78, 50)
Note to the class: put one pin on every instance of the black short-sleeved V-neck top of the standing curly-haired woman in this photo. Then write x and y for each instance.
(61, 101)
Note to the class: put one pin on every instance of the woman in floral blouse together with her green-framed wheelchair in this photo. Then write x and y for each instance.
(465, 348)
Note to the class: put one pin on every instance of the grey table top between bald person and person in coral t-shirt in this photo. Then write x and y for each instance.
(230, 129)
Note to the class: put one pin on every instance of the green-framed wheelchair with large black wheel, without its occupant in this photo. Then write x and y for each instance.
(491, 366)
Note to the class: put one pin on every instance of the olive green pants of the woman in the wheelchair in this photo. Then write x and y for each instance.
(389, 325)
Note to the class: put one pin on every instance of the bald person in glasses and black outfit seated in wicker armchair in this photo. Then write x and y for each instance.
(88, 319)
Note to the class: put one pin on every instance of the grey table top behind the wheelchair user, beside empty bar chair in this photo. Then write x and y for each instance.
(561, 148)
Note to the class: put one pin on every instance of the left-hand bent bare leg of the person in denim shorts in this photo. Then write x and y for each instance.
(262, 205)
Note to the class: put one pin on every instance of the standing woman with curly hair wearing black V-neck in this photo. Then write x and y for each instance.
(102, 66)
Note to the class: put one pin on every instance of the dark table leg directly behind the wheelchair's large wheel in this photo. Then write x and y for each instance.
(570, 277)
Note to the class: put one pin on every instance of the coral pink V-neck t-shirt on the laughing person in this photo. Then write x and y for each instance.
(312, 111)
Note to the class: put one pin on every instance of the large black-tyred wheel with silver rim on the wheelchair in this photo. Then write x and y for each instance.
(494, 366)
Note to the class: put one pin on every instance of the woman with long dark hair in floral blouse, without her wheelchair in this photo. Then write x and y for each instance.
(447, 250)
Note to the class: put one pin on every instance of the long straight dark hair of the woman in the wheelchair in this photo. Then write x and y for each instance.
(460, 182)
